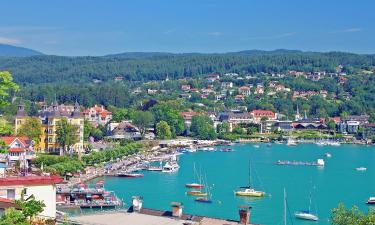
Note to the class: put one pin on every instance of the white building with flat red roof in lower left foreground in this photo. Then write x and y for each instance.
(43, 188)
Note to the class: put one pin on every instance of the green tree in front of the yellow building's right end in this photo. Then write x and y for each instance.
(66, 135)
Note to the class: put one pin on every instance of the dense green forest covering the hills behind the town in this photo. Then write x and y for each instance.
(70, 78)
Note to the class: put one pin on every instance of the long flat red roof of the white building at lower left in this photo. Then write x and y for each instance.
(30, 180)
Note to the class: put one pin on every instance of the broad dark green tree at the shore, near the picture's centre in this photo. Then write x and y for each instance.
(202, 127)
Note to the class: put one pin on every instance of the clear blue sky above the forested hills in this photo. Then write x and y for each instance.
(99, 27)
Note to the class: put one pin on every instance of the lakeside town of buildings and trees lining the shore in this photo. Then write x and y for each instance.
(54, 152)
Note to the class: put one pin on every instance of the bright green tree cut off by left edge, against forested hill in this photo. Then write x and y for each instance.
(6, 86)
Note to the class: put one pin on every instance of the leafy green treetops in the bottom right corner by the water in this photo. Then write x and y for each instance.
(344, 216)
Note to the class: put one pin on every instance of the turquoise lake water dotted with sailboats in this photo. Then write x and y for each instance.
(337, 182)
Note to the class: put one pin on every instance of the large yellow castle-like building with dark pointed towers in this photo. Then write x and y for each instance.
(49, 118)
